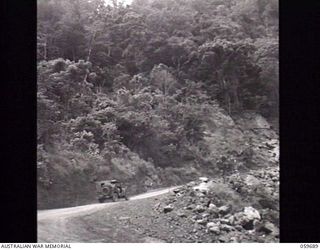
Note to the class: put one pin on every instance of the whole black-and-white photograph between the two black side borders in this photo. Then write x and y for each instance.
(157, 121)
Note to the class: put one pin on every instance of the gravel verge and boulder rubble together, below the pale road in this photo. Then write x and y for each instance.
(242, 208)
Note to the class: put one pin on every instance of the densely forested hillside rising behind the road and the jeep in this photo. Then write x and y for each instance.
(154, 93)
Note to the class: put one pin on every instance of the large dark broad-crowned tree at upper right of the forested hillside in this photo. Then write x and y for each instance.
(228, 65)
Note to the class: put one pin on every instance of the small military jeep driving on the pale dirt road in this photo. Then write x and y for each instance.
(110, 189)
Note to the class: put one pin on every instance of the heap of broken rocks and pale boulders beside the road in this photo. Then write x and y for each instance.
(241, 209)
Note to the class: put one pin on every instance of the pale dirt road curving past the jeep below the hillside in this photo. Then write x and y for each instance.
(53, 224)
